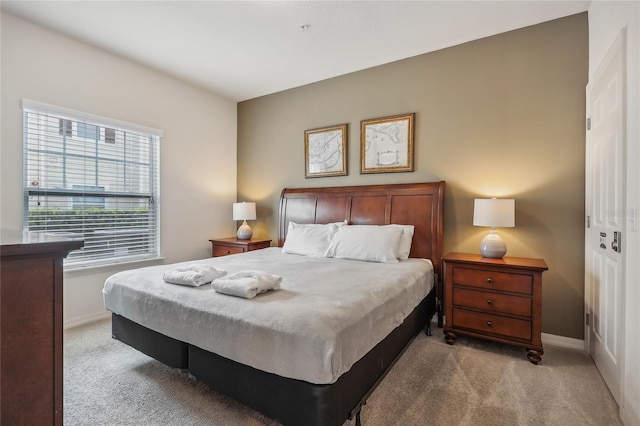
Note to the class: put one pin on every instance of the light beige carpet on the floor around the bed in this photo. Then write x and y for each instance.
(470, 383)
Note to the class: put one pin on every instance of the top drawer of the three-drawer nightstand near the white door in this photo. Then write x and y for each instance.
(486, 279)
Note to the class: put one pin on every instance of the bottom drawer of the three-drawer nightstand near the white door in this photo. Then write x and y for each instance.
(492, 324)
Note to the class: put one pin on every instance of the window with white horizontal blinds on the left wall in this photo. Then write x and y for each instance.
(92, 178)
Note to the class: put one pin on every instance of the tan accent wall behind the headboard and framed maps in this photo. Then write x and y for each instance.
(502, 116)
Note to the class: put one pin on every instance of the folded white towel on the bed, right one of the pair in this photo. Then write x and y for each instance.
(246, 284)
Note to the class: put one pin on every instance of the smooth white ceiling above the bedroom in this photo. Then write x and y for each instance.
(246, 49)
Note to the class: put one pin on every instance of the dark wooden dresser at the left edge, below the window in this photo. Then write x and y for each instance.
(31, 327)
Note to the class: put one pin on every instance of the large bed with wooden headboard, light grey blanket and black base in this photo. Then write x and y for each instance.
(328, 382)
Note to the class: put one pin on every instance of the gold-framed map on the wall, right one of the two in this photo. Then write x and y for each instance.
(386, 144)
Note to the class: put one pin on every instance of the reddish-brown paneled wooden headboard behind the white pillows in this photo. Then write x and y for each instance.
(417, 204)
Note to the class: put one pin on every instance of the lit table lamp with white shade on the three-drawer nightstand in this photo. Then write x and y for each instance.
(496, 213)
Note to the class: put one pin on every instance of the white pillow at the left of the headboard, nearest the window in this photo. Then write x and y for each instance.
(308, 239)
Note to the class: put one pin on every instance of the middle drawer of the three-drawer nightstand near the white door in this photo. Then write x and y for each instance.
(492, 302)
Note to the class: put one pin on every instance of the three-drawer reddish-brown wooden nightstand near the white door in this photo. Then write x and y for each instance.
(495, 299)
